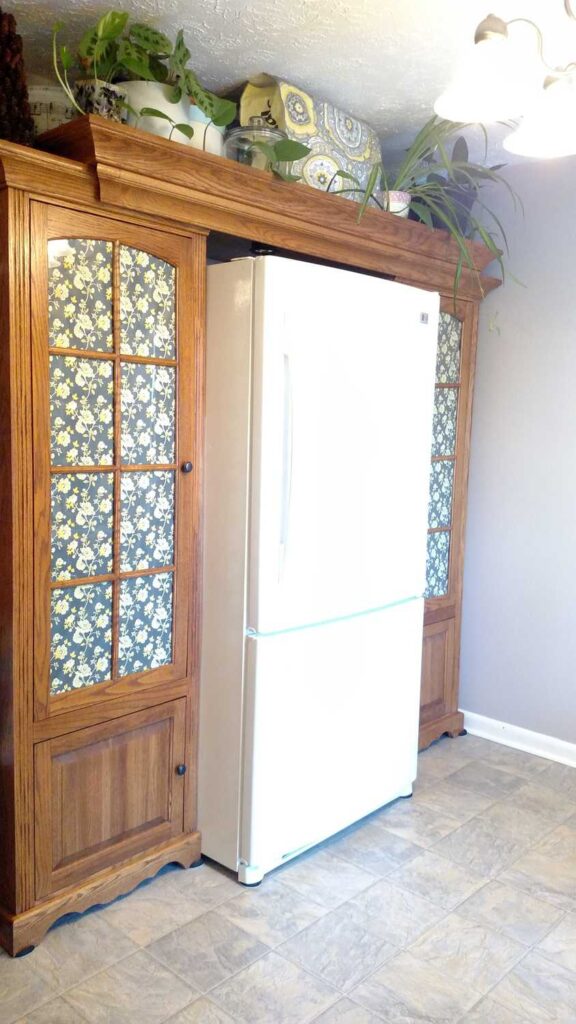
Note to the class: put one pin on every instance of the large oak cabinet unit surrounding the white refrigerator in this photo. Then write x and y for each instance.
(103, 254)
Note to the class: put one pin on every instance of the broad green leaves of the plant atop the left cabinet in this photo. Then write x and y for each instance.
(115, 52)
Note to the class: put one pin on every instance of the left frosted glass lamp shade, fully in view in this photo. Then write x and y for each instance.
(491, 84)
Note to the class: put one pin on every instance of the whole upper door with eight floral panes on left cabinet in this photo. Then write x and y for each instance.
(114, 457)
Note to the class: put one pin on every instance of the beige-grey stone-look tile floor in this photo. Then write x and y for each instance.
(457, 906)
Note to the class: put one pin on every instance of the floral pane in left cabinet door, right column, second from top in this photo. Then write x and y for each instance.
(148, 414)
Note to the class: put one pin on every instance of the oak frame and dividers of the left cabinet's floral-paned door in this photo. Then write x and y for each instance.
(54, 223)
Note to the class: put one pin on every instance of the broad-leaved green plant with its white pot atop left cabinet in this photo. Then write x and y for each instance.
(135, 72)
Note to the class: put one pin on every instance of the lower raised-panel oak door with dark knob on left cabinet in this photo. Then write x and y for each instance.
(104, 794)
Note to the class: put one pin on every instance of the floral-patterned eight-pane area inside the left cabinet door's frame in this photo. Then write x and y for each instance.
(112, 521)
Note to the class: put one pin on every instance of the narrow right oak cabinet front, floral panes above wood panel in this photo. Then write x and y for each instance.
(447, 508)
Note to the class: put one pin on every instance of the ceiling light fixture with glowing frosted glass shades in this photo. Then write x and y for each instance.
(504, 79)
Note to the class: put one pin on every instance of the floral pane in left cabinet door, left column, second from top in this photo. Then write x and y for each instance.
(81, 412)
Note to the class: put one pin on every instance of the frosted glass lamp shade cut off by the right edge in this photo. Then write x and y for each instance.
(549, 131)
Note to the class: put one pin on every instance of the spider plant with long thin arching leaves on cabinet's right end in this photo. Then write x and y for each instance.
(445, 190)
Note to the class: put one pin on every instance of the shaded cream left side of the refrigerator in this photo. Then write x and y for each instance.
(228, 431)
